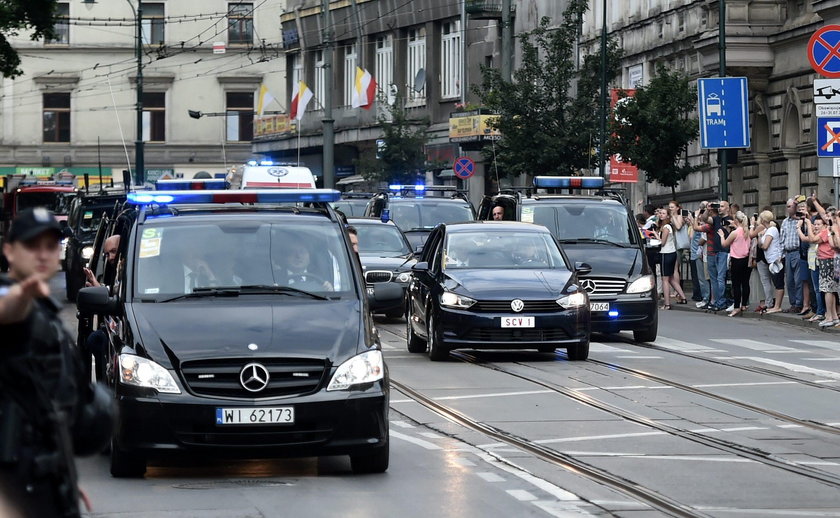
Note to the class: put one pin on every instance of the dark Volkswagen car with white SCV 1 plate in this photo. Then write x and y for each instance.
(496, 285)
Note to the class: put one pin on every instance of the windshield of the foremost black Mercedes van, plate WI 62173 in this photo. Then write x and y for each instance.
(175, 258)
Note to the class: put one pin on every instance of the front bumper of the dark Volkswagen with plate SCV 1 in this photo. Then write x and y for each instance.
(466, 329)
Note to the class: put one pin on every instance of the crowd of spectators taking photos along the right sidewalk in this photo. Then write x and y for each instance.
(797, 256)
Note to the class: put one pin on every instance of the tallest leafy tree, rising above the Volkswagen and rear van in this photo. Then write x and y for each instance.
(545, 127)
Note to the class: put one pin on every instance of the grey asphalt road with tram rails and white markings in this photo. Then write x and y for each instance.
(718, 417)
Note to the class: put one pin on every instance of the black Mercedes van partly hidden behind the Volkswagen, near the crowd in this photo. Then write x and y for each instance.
(597, 229)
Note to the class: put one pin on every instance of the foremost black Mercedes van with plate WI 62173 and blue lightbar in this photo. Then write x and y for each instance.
(239, 327)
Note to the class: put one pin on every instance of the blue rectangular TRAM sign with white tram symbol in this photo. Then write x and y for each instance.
(724, 112)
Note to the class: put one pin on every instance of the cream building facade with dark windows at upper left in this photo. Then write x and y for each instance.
(75, 104)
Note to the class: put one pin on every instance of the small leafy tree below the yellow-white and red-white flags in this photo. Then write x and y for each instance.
(402, 155)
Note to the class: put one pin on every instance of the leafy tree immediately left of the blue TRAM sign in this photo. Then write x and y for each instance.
(653, 129)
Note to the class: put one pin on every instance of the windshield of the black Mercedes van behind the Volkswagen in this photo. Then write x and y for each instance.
(568, 222)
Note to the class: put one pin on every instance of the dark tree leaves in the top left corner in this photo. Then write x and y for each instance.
(18, 15)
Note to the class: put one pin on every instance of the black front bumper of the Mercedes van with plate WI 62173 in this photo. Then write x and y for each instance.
(326, 423)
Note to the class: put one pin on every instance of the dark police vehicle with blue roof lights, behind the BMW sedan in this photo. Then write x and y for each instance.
(417, 209)
